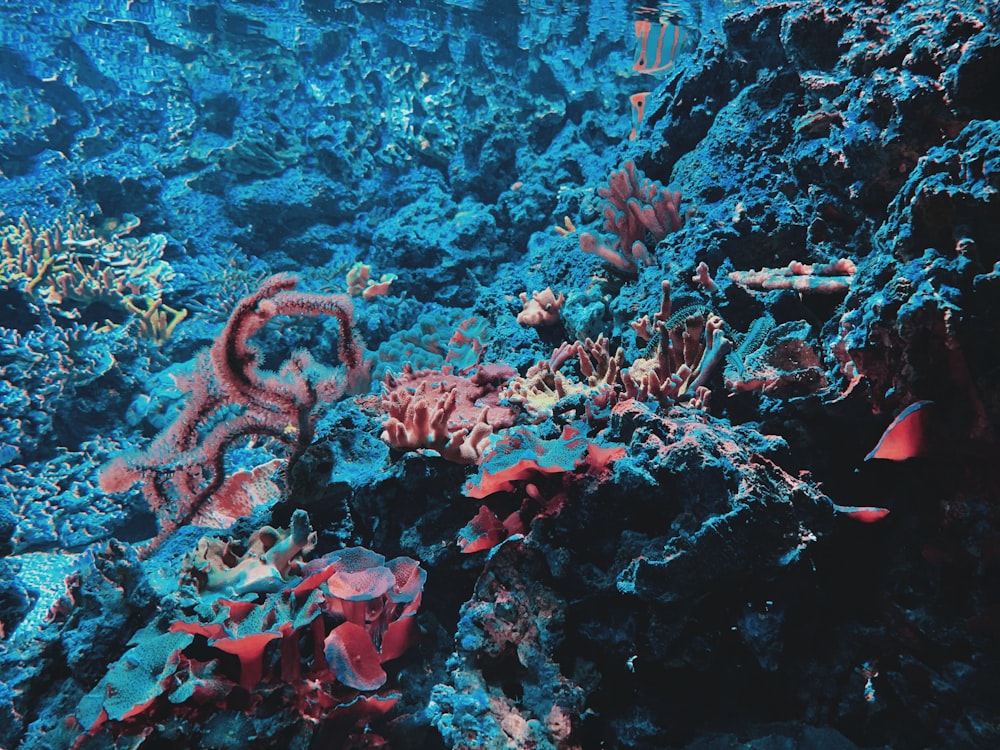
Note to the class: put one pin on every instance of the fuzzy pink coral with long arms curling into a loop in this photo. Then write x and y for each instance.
(231, 397)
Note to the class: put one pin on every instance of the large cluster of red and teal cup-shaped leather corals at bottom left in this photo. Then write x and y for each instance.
(311, 638)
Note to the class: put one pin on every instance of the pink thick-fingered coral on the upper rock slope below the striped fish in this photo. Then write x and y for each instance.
(640, 213)
